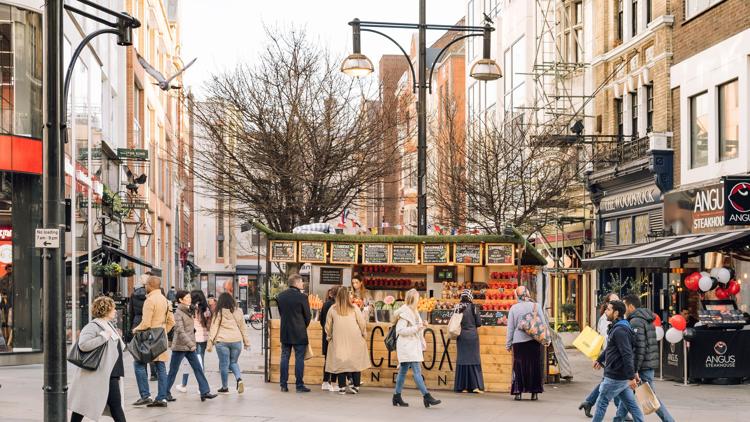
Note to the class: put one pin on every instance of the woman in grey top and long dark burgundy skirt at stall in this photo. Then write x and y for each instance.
(527, 352)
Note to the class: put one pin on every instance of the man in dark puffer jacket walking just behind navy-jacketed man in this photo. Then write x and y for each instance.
(646, 350)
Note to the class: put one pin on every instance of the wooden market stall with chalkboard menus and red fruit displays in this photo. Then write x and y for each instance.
(439, 267)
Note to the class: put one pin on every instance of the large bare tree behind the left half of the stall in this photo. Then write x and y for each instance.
(289, 141)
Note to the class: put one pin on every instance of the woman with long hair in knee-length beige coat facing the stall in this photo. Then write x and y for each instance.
(347, 349)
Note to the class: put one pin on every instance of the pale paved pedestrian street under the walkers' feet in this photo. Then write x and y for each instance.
(21, 398)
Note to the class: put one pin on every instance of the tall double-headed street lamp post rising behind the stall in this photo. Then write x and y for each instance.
(485, 69)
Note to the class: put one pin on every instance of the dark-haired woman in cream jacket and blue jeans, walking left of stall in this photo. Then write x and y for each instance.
(228, 333)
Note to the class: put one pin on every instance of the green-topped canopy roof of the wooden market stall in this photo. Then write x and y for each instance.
(531, 256)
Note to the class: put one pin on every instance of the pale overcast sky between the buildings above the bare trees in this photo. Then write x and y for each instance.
(222, 33)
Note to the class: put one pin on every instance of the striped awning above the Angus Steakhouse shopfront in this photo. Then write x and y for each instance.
(658, 253)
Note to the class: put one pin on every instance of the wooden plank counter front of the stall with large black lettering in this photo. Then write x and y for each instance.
(438, 367)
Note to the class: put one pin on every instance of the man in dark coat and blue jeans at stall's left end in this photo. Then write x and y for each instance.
(294, 310)
